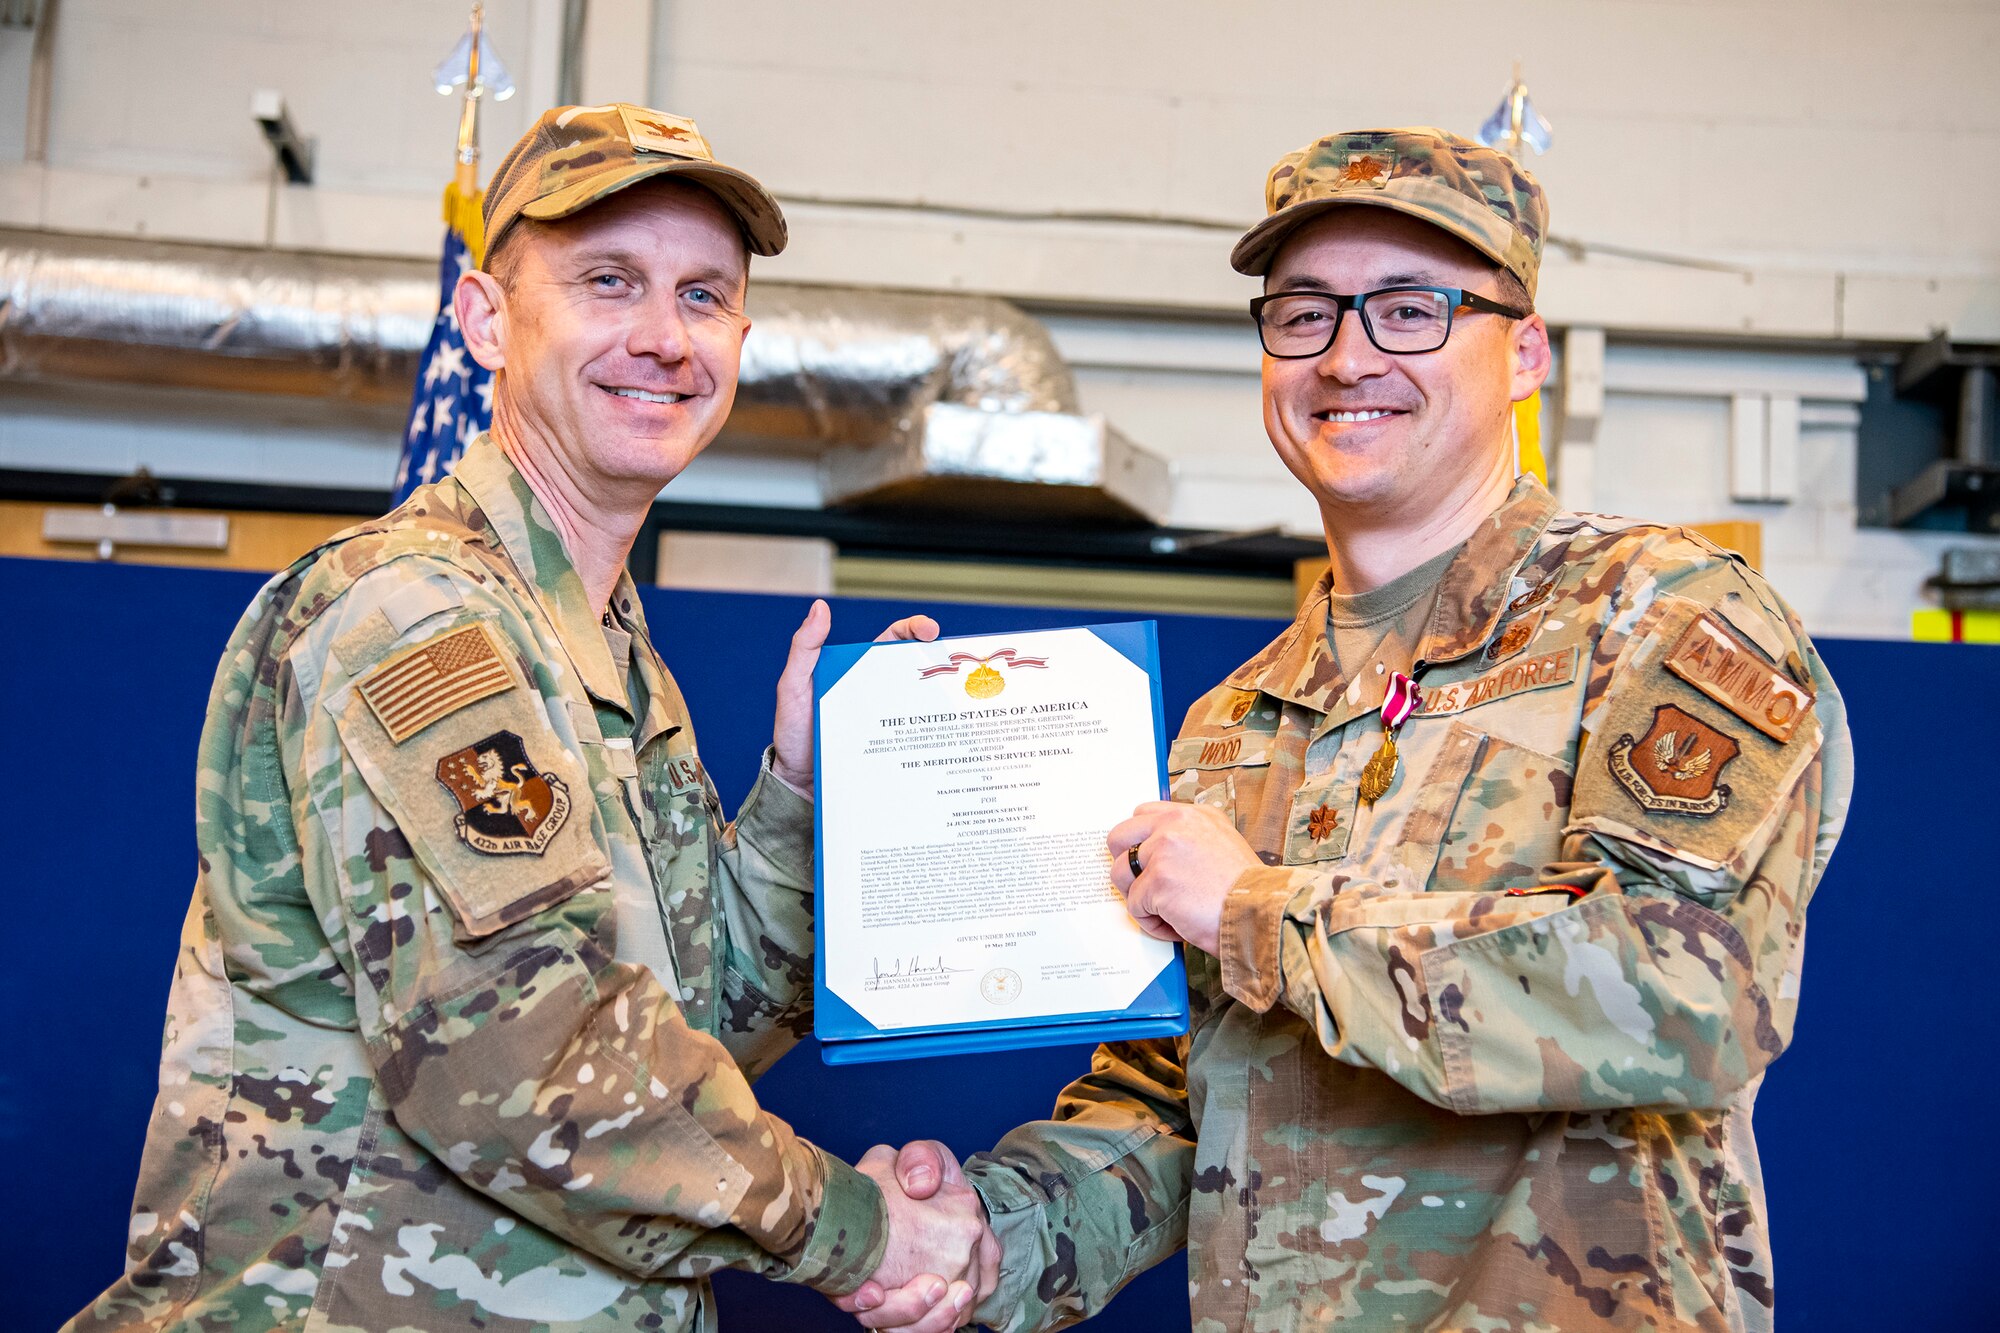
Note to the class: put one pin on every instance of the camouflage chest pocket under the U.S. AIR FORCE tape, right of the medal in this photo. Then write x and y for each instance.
(1491, 816)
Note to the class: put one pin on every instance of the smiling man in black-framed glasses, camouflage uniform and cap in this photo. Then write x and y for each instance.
(1493, 868)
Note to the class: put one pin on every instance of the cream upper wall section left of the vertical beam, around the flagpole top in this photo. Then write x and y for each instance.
(151, 125)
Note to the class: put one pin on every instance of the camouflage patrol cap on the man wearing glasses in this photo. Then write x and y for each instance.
(1471, 191)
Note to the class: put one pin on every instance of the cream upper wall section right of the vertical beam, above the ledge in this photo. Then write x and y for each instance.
(1795, 139)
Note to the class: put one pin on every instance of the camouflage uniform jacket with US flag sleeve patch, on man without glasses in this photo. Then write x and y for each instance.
(475, 978)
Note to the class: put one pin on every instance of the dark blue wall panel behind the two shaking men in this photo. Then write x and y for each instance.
(1881, 1196)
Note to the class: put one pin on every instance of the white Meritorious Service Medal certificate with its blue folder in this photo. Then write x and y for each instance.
(965, 792)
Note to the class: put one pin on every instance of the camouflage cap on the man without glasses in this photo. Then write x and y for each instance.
(577, 155)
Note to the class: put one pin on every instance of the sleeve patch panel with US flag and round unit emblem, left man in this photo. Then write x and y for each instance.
(459, 750)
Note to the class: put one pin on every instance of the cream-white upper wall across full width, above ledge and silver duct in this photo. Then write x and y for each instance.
(1837, 157)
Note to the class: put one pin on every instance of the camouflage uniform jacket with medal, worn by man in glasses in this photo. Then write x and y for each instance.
(1481, 1058)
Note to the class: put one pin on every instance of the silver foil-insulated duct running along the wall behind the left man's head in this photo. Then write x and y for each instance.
(941, 403)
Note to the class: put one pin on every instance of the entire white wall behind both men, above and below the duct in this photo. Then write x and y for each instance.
(1823, 171)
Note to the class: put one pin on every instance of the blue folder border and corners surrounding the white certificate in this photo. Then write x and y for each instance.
(851, 1040)
